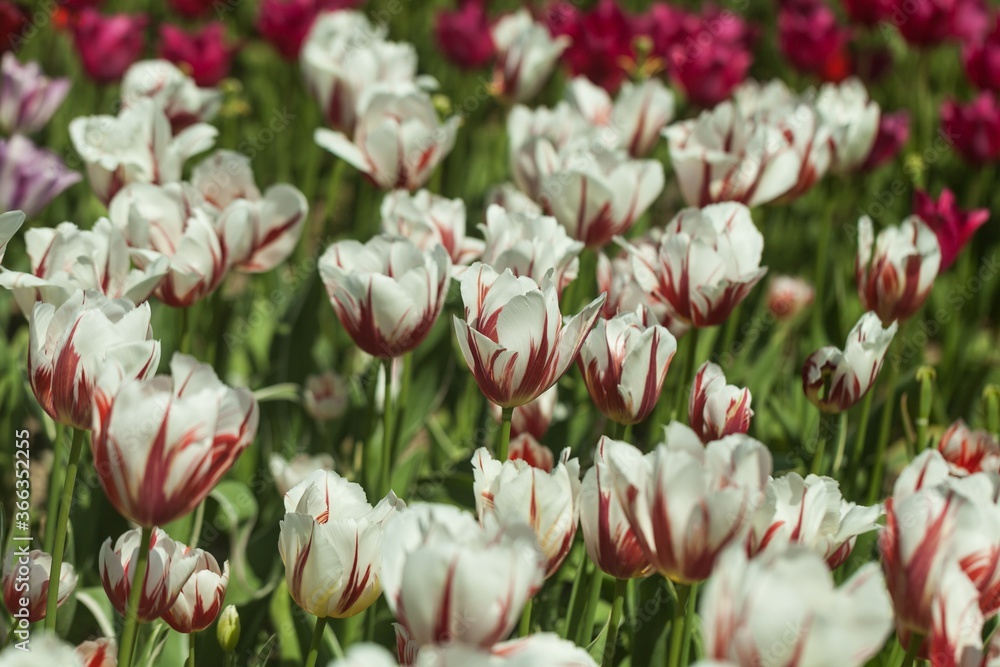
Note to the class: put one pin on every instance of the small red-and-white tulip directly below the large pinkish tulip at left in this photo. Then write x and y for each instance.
(168, 570)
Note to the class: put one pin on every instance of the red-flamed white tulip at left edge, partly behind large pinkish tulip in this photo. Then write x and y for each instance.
(70, 346)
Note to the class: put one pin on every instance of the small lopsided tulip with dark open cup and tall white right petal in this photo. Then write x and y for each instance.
(834, 380)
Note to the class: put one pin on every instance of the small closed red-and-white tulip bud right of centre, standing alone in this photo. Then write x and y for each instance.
(717, 409)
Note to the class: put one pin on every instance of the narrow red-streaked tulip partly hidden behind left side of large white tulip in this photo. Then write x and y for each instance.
(610, 540)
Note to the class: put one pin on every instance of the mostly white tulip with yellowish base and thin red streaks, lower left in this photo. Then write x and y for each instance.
(331, 543)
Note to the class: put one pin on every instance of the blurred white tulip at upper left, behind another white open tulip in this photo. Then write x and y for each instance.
(183, 102)
